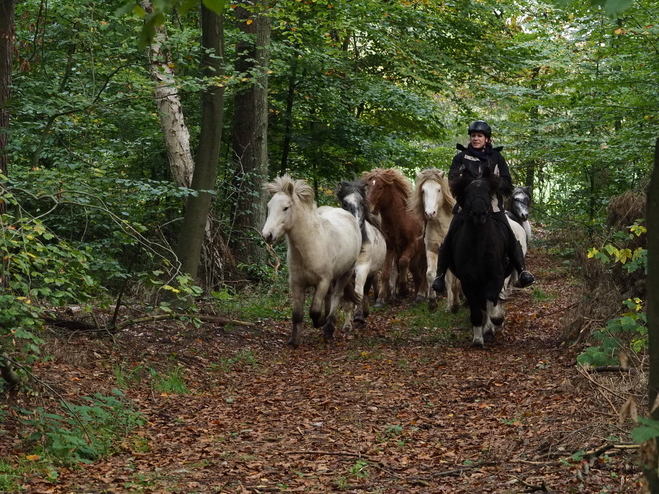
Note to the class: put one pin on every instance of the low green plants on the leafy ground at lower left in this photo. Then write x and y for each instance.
(81, 433)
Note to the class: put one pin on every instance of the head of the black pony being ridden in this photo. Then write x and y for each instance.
(474, 195)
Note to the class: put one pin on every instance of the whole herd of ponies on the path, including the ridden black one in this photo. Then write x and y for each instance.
(385, 230)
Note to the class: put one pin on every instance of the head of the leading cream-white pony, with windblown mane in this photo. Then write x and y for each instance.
(288, 196)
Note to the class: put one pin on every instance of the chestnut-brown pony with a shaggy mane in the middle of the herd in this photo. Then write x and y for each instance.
(388, 193)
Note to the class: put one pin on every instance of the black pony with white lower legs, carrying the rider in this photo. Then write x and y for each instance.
(479, 257)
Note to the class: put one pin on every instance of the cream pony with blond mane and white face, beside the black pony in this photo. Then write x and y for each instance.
(432, 204)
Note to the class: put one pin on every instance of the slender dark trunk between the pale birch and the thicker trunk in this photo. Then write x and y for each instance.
(195, 221)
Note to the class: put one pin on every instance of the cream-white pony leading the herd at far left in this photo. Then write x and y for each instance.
(323, 246)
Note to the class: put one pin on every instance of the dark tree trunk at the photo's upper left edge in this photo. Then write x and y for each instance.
(7, 9)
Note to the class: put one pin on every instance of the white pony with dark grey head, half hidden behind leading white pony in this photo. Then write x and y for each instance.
(374, 249)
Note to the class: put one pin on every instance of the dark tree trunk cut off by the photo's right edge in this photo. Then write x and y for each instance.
(649, 450)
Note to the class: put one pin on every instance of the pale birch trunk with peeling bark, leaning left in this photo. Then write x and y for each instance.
(170, 110)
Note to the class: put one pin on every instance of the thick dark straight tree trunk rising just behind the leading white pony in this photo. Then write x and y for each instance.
(250, 132)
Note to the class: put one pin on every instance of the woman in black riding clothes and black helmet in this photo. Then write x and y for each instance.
(472, 160)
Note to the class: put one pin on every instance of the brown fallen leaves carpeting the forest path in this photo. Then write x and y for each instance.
(361, 415)
